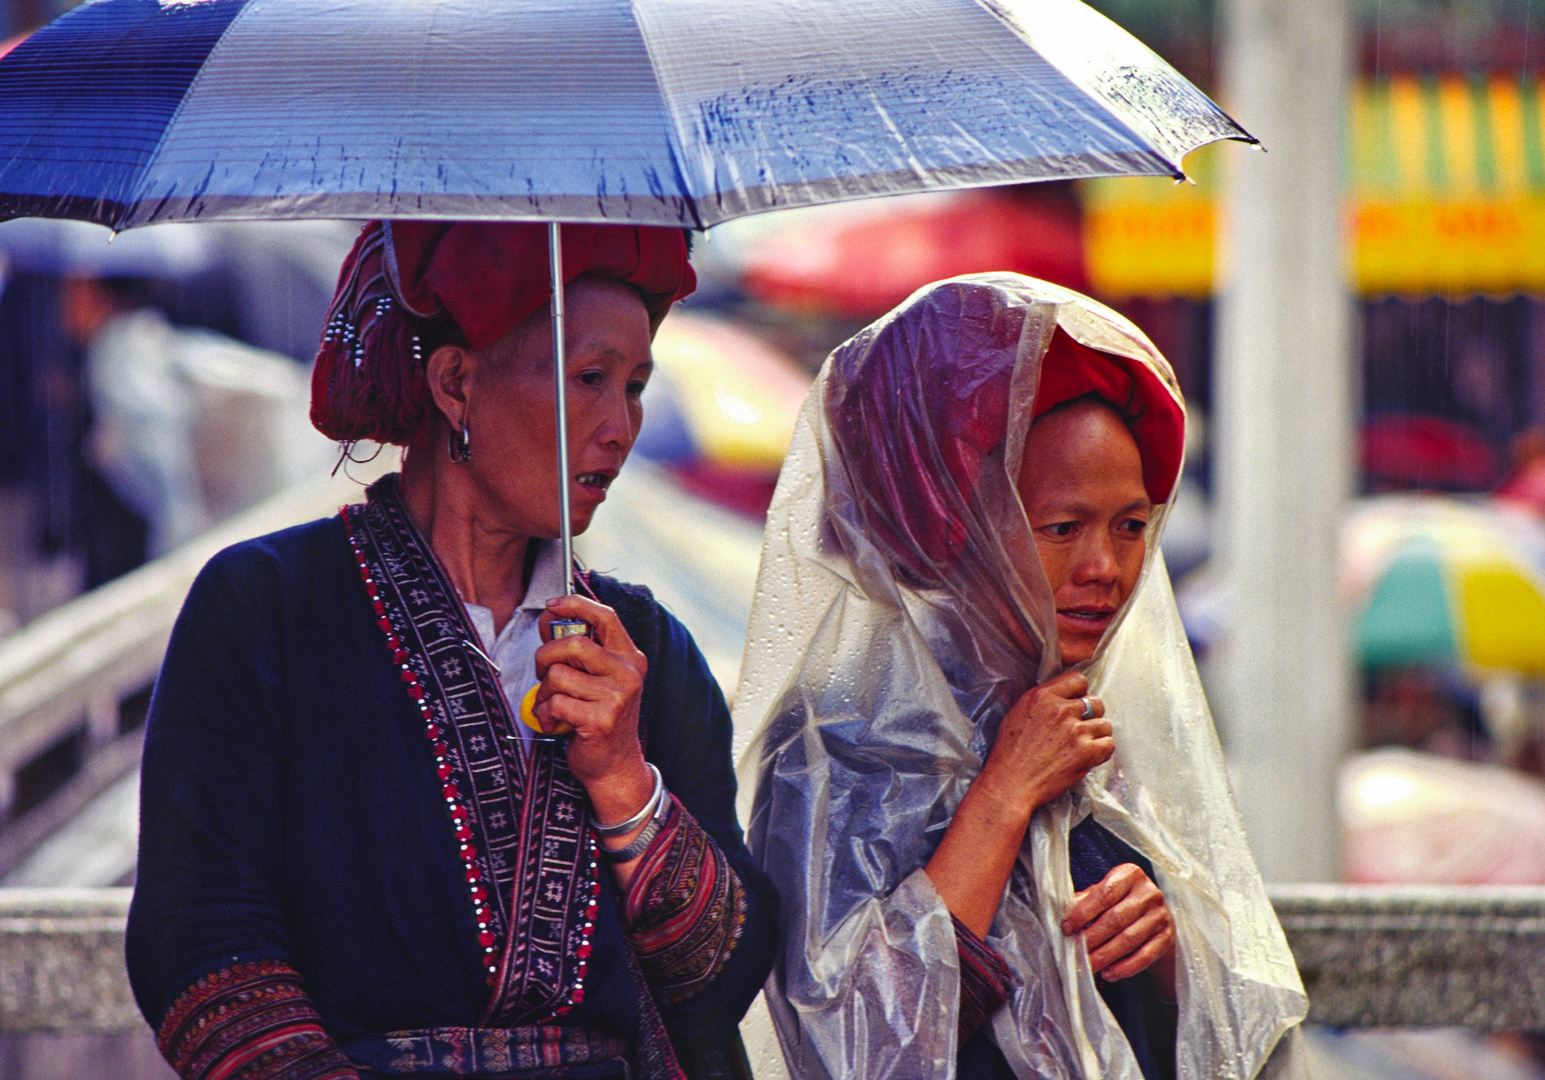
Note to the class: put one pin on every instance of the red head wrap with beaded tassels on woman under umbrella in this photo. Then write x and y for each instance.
(458, 280)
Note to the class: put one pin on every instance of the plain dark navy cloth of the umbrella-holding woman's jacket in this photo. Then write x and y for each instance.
(291, 810)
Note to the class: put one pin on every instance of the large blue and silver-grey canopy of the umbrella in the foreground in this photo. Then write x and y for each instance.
(654, 112)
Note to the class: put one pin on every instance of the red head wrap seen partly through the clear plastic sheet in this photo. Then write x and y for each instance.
(922, 401)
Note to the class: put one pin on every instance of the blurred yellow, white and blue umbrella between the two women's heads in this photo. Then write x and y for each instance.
(721, 410)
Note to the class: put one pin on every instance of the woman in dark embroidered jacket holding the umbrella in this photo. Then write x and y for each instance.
(355, 858)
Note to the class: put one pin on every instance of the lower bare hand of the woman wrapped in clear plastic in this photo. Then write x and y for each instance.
(1127, 926)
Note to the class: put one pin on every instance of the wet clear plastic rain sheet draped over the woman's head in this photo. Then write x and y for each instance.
(878, 665)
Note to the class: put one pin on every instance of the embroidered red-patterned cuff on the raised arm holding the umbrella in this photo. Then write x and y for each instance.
(685, 909)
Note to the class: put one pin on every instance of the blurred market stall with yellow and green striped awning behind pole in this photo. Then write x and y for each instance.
(1445, 214)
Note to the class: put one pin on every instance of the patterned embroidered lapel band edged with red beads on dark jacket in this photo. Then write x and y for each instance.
(520, 820)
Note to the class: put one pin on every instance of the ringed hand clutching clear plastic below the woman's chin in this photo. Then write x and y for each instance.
(1047, 744)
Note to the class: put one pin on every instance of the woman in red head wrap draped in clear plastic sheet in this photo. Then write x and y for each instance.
(986, 784)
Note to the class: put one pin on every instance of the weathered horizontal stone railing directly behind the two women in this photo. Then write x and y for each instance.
(1370, 957)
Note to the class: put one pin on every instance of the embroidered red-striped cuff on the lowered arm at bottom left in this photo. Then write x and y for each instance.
(250, 1022)
